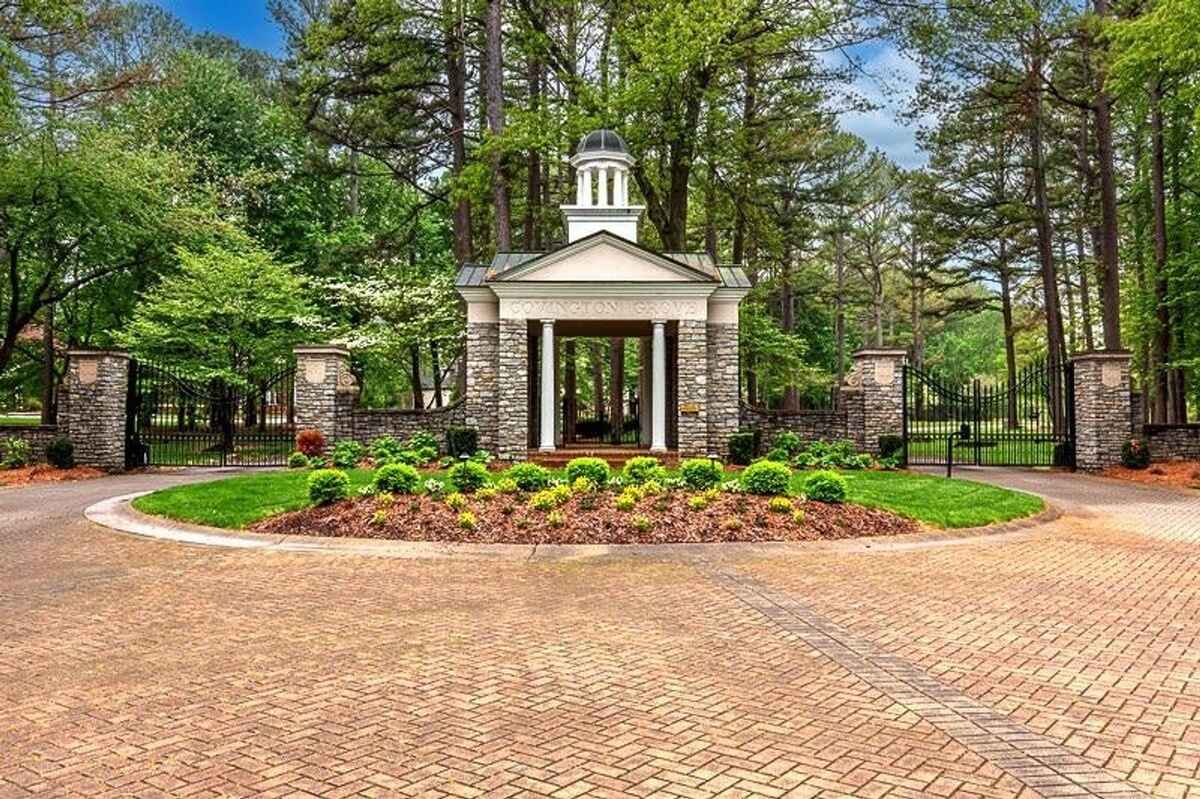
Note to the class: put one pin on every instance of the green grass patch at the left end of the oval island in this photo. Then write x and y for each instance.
(237, 502)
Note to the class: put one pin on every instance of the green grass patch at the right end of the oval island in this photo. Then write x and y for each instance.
(937, 501)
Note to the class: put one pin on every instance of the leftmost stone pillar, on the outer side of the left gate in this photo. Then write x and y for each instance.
(98, 389)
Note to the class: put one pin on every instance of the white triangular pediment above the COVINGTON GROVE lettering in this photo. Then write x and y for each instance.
(604, 259)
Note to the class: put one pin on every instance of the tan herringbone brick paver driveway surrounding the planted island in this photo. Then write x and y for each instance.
(1058, 663)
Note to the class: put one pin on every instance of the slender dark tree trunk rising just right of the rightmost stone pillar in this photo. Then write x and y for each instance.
(1162, 349)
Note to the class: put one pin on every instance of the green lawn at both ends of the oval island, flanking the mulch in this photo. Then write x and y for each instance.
(242, 501)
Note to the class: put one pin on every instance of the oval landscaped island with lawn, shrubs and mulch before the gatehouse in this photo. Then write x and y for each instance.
(410, 495)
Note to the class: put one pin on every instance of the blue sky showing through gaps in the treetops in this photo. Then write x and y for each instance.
(886, 76)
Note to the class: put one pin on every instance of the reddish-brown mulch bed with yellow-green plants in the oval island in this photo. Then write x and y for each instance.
(590, 519)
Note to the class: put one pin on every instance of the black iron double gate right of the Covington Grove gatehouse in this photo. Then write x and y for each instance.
(1028, 422)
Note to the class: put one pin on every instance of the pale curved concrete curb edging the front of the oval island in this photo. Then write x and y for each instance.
(118, 514)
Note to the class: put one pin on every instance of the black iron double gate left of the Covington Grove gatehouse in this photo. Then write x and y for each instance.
(177, 420)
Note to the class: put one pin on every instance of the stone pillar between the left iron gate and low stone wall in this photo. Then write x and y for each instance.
(325, 391)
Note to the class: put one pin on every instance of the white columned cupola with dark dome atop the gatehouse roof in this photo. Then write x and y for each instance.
(602, 165)
